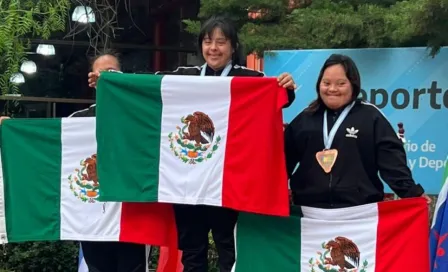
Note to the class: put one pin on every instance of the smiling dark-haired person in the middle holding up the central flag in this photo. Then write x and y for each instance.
(219, 45)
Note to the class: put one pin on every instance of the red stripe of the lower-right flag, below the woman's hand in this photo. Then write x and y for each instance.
(409, 250)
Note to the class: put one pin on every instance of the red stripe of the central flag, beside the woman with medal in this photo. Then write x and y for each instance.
(255, 177)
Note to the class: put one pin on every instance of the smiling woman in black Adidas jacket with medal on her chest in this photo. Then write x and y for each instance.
(341, 144)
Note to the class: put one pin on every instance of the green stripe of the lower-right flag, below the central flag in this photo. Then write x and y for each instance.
(261, 232)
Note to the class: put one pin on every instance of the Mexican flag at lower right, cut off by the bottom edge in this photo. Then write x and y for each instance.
(381, 237)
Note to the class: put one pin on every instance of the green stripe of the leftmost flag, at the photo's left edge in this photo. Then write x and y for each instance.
(32, 188)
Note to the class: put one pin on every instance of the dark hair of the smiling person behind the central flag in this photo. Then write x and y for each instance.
(228, 29)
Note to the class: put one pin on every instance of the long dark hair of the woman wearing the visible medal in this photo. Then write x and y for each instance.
(351, 72)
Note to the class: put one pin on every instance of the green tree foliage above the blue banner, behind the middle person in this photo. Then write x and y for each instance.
(305, 24)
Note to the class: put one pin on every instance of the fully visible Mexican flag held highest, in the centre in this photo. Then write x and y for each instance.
(192, 140)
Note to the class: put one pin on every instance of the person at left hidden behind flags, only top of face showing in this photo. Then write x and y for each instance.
(110, 256)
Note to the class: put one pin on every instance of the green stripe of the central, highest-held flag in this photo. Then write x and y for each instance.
(118, 112)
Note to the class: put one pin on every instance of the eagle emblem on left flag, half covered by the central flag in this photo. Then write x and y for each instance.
(84, 181)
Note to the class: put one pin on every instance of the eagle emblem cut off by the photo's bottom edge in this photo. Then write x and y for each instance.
(340, 255)
